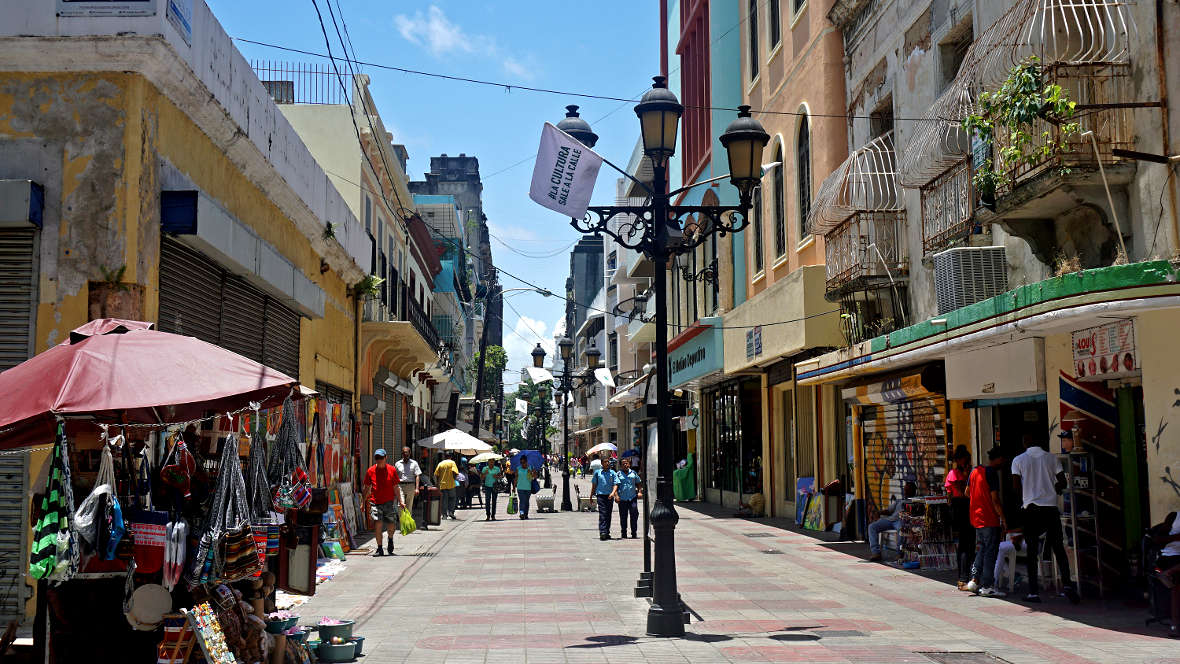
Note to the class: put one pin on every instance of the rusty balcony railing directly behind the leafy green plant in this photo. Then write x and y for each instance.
(1100, 91)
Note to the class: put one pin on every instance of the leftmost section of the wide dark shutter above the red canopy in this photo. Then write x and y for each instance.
(189, 293)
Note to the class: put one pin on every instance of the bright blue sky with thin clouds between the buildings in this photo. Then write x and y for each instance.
(609, 48)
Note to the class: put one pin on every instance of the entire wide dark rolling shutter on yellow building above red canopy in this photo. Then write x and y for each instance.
(200, 299)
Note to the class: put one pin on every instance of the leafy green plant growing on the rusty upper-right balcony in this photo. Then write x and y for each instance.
(1011, 115)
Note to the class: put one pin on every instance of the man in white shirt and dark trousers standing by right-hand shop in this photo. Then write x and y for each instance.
(1039, 479)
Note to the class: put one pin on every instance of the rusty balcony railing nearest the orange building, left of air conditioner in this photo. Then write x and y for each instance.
(867, 245)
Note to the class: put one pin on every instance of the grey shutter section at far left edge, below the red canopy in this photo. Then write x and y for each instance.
(14, 531)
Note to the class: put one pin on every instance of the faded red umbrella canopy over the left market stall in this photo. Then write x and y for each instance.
(127, 372)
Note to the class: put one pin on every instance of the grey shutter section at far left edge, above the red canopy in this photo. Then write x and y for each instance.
(18, 288)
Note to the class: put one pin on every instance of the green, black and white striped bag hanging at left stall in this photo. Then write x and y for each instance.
(54, 554)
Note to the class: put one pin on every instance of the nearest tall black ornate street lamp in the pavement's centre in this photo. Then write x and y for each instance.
(646, 228)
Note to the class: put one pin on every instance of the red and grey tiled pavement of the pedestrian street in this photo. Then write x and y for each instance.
(547, 590)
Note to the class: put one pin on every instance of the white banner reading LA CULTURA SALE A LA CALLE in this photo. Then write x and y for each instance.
(565, 174)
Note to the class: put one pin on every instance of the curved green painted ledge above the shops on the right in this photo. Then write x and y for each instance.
(1151, 273)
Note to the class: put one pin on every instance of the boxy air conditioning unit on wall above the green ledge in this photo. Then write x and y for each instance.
(967, 275)
